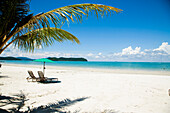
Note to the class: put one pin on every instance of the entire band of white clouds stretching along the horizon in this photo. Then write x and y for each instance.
(162, 53)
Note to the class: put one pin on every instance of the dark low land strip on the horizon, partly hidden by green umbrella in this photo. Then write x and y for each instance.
(51, 58)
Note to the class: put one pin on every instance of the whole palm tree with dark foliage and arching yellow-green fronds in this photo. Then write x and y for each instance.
(27, 31)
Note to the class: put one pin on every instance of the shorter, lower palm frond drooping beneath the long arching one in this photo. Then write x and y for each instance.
(43, 37)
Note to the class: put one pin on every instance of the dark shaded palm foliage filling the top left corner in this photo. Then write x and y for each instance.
(11, 12)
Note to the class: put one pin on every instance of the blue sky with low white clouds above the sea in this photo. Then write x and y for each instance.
(141, 32)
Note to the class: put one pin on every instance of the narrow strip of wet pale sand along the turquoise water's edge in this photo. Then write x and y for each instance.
(108, 70)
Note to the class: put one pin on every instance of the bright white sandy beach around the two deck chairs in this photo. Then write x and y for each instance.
(103, 90)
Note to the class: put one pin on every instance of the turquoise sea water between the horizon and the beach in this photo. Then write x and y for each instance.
(109, 65)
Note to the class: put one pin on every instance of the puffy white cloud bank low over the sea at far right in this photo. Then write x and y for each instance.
(162, 53)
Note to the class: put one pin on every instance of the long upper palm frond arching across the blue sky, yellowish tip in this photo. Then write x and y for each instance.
(73, 12)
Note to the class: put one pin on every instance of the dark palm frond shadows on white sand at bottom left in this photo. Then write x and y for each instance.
(19, 100)
